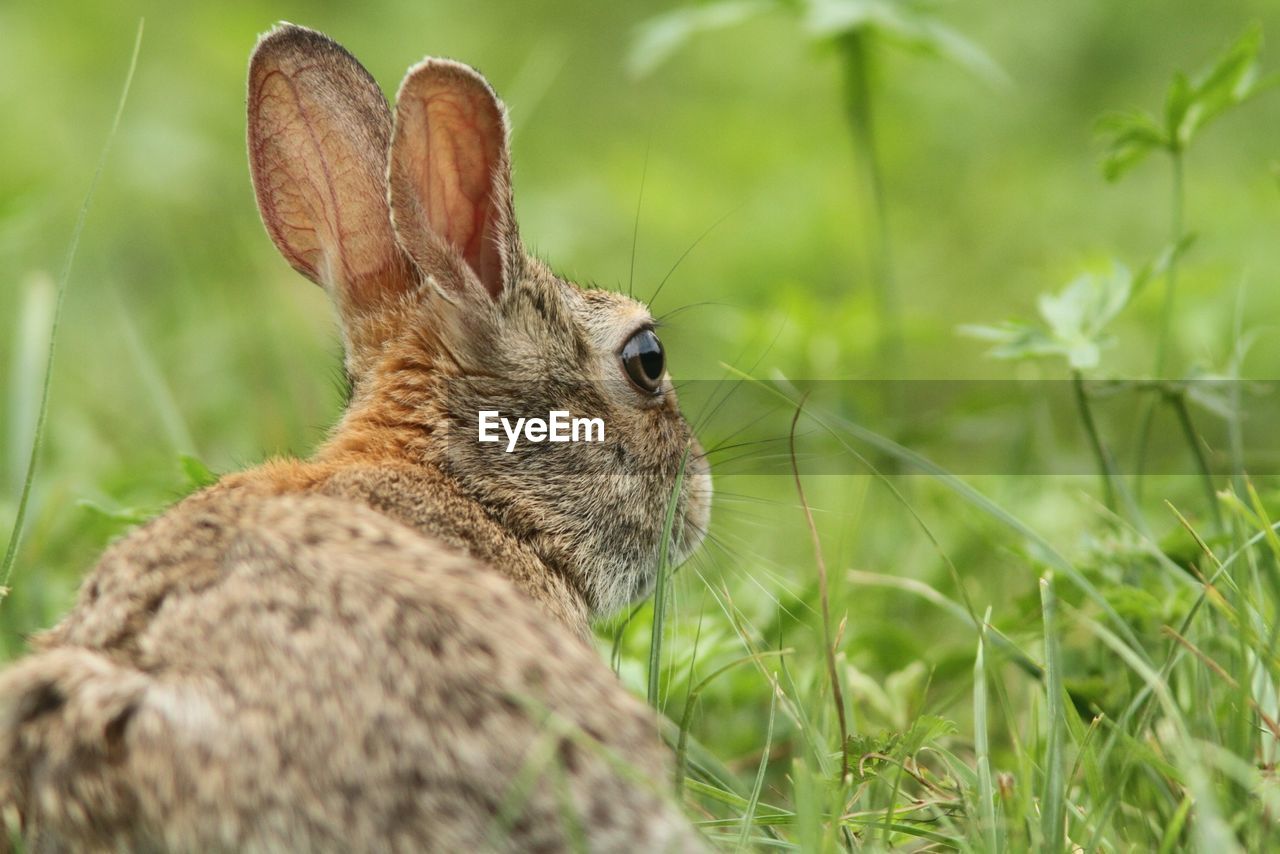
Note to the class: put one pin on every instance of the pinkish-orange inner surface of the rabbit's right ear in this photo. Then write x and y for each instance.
(452, 143)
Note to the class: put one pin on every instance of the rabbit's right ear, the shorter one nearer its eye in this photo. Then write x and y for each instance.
(450, 179)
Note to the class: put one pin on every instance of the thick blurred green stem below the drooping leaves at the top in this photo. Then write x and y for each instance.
(854, 52)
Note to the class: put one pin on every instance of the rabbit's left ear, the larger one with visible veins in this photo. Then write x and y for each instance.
(319, 131)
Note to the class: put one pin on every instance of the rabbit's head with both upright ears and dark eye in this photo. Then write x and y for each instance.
(454, 334)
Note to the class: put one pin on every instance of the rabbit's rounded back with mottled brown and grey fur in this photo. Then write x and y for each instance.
(303, 673)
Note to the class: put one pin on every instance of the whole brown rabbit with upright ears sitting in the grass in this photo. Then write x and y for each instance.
(385, 647)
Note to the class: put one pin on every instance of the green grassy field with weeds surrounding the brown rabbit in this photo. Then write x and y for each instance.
(1035, 609)
